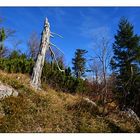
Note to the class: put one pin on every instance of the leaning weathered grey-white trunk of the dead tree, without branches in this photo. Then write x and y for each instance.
(44, 46)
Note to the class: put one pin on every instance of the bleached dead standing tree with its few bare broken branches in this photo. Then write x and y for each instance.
(45, 45)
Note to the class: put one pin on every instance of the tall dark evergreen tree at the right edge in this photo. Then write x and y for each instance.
(125, 64)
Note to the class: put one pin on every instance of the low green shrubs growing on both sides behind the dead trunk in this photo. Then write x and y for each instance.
(63, 81)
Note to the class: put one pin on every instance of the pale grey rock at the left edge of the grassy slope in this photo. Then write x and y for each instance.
(6, 91)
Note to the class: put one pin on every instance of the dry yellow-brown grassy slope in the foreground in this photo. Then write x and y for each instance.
(50, 111)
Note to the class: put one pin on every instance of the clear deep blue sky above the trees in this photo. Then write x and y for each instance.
(80, 26)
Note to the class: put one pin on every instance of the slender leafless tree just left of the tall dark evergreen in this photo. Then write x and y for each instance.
(102, 56)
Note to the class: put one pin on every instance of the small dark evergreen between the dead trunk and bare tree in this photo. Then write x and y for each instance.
(79, 63)
